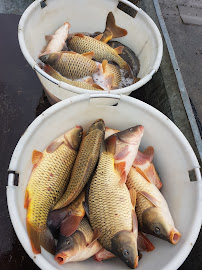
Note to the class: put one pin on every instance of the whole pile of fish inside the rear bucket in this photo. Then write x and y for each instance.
(87, 61)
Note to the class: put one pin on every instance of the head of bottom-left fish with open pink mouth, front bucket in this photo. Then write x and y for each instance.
(68, 247)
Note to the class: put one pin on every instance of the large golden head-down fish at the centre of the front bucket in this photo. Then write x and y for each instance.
(111, 212)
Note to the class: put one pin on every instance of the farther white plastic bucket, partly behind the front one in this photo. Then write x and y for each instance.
(90, 16)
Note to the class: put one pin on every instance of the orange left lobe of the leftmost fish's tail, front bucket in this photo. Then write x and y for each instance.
(34, 238)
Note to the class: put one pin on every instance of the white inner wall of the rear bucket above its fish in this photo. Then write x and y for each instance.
(90, 16)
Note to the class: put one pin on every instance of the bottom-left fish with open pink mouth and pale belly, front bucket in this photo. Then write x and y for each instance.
(79, 246)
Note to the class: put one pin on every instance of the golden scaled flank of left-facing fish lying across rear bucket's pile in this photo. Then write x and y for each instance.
(74, 66)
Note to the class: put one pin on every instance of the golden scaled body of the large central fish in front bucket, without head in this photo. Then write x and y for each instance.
(110, 207)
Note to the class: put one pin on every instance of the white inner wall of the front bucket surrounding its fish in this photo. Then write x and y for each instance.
(172, 159)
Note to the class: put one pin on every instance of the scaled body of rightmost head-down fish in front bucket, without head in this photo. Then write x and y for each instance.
(137, 182)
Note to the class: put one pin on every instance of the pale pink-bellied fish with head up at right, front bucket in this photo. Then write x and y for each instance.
(124, 146)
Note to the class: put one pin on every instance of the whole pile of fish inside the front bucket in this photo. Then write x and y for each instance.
(93, 193)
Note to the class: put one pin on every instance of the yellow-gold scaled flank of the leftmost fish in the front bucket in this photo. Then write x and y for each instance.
(48, 182)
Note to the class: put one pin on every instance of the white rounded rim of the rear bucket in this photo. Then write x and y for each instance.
(78, 90)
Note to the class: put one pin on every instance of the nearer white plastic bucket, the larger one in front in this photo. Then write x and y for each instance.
(174, 159)
